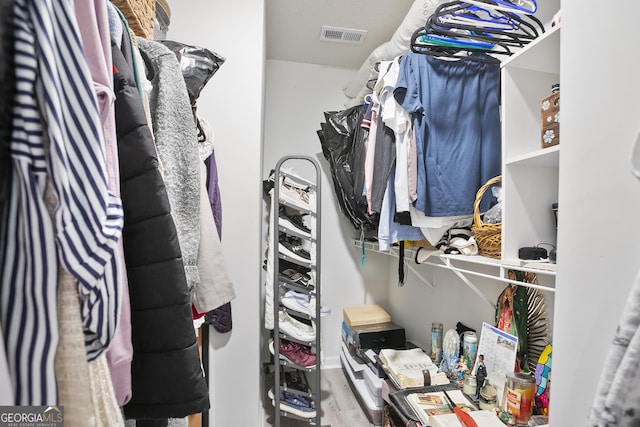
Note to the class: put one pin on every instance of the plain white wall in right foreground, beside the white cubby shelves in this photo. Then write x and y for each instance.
(599, 199)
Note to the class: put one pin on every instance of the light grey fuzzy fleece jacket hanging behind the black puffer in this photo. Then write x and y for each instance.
(176, 139)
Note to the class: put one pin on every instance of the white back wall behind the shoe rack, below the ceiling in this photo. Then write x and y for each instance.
(296, 97)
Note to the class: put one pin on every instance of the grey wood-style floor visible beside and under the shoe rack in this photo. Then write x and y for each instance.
(340, 407)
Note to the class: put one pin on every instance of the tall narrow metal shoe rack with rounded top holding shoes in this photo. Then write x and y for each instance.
(284, 369)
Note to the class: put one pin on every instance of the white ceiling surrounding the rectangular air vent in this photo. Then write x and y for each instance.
(293, 29)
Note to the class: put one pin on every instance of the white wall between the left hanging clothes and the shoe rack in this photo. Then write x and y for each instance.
(232, 103)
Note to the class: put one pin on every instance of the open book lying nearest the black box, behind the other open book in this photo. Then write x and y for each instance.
(406, 368)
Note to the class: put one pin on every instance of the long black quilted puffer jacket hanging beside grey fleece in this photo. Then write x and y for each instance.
(167, 378)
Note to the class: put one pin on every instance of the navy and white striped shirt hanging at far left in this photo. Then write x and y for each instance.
(57, 137)
